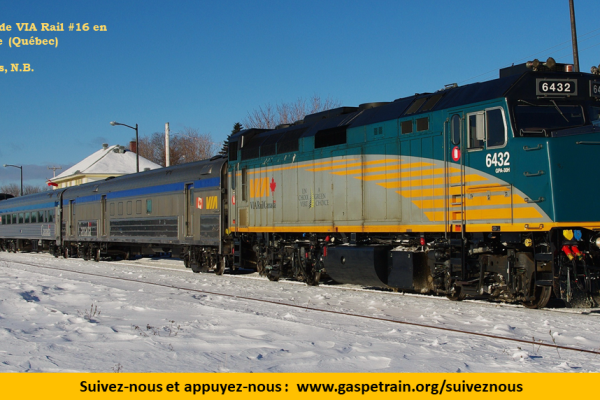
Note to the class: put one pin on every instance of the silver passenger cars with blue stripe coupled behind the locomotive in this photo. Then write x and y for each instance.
(178, 209)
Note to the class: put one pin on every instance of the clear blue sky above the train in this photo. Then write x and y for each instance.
(206, 64)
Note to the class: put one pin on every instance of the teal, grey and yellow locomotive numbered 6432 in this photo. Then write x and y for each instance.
(475, 190)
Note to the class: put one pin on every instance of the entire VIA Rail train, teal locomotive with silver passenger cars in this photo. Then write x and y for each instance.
(479, 190)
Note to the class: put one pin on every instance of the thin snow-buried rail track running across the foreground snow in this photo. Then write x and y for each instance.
(314, 309)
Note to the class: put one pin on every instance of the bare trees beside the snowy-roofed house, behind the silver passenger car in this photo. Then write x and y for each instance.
(185, 146)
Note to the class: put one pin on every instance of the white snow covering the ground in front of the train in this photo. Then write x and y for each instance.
(57, 321)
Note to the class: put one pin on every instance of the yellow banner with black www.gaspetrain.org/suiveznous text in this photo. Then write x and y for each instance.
(63, 386)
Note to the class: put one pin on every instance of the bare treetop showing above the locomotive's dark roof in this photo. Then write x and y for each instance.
(269, 116)
